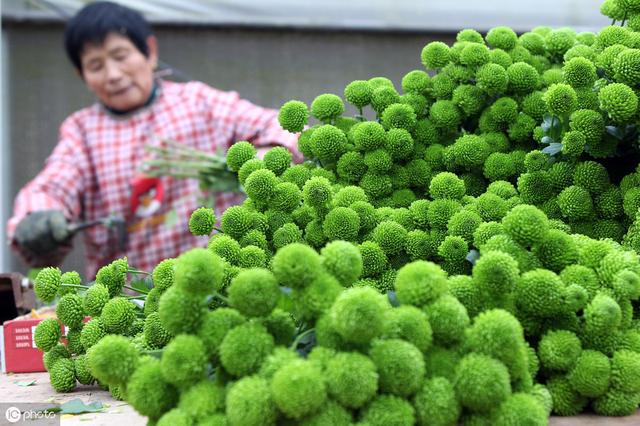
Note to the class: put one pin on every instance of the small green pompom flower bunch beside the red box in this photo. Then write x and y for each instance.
(106, 307)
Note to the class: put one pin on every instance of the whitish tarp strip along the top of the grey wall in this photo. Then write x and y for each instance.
(408, 15)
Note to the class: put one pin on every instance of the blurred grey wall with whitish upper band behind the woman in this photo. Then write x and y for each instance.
(269, 51)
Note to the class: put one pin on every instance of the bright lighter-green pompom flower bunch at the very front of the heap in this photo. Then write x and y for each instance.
(350, 356)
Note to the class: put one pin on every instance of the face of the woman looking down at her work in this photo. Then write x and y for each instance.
(118, 73)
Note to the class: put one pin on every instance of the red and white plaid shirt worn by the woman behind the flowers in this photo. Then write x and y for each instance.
(88, 176)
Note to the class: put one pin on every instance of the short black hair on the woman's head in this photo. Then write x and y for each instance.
(95, 21)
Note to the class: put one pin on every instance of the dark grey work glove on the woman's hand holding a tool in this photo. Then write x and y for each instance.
(42, 232)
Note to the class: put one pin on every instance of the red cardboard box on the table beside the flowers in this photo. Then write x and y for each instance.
(19, 351)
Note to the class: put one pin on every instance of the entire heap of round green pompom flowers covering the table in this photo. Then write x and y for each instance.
(470, 254)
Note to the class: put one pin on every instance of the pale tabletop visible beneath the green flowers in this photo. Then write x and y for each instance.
(119, 412)
